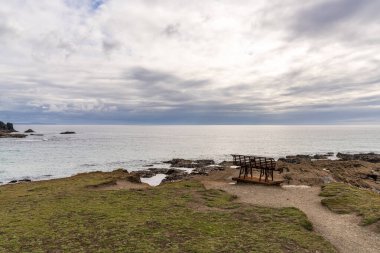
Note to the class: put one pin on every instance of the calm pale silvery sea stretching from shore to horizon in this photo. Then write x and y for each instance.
(105, 148)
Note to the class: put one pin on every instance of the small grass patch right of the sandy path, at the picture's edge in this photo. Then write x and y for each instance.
(343, 198)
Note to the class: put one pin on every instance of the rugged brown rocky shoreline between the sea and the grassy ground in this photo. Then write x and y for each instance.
(361, 170)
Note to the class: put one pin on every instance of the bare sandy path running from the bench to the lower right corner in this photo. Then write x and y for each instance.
(342, 231)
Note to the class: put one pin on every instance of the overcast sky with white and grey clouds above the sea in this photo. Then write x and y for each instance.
(190, 62)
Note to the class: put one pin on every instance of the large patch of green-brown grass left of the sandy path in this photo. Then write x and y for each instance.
(66, 215)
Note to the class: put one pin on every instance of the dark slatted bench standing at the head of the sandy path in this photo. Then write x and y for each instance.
(247, 164)
